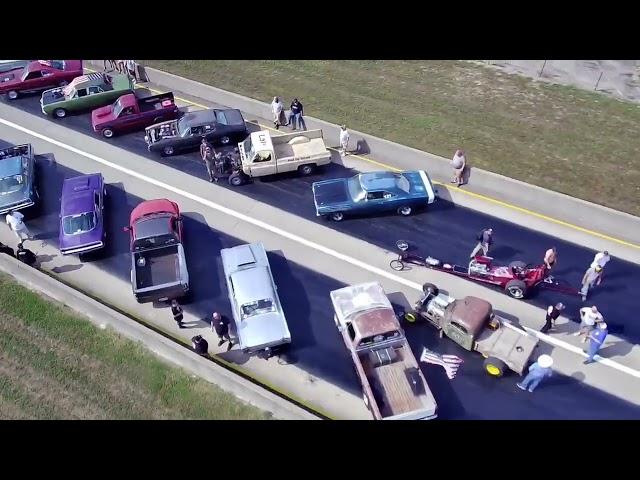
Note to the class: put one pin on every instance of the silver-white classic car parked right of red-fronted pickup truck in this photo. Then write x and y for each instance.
(261, 326)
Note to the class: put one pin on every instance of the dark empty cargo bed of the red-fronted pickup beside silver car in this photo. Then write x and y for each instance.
(162, 266)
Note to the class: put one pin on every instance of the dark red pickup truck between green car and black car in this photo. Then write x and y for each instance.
(130, 113)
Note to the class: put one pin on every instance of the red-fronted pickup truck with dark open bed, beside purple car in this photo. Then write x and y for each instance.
(158, 264)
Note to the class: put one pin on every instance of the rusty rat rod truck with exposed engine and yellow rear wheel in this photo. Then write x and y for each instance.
(471, 323)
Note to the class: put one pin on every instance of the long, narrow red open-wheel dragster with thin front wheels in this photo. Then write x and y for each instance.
(517, 279)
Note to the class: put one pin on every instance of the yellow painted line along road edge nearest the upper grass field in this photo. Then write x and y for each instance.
(457, 189)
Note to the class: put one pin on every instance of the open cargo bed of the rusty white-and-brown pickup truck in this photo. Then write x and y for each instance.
(390, 384)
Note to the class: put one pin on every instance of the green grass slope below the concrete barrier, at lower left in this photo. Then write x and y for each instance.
(56, 365)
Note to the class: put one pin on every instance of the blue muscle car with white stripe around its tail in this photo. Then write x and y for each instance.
(373, 192)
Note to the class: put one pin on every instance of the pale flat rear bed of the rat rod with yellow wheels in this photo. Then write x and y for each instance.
(509, 344)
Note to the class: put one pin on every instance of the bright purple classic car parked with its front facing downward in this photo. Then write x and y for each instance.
(81, 214)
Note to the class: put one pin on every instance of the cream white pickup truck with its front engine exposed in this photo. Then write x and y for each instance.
(262, 154)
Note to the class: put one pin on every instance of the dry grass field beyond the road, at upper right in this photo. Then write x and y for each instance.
(576, 142)
